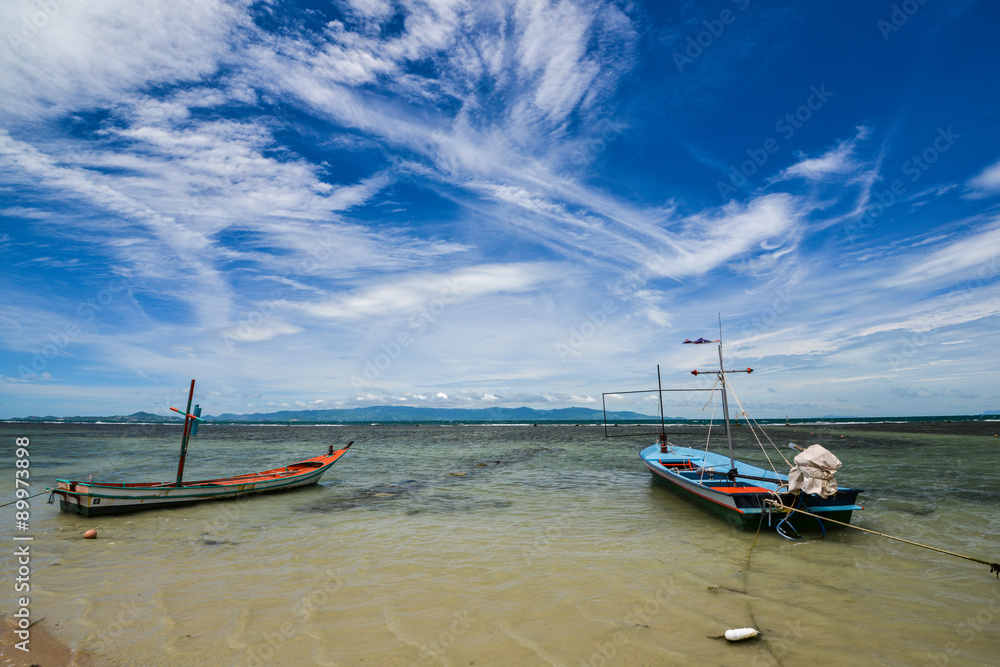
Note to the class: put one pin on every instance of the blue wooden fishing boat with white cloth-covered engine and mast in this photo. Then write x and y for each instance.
(749, 496)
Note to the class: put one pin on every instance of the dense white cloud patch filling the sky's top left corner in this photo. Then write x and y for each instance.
(91, 53)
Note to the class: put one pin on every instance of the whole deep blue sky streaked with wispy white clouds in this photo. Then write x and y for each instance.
(477, 204)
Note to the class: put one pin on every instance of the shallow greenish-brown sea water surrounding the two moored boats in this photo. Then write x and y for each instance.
(507, 544)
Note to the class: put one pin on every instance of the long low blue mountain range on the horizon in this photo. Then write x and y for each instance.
(381, 413)
